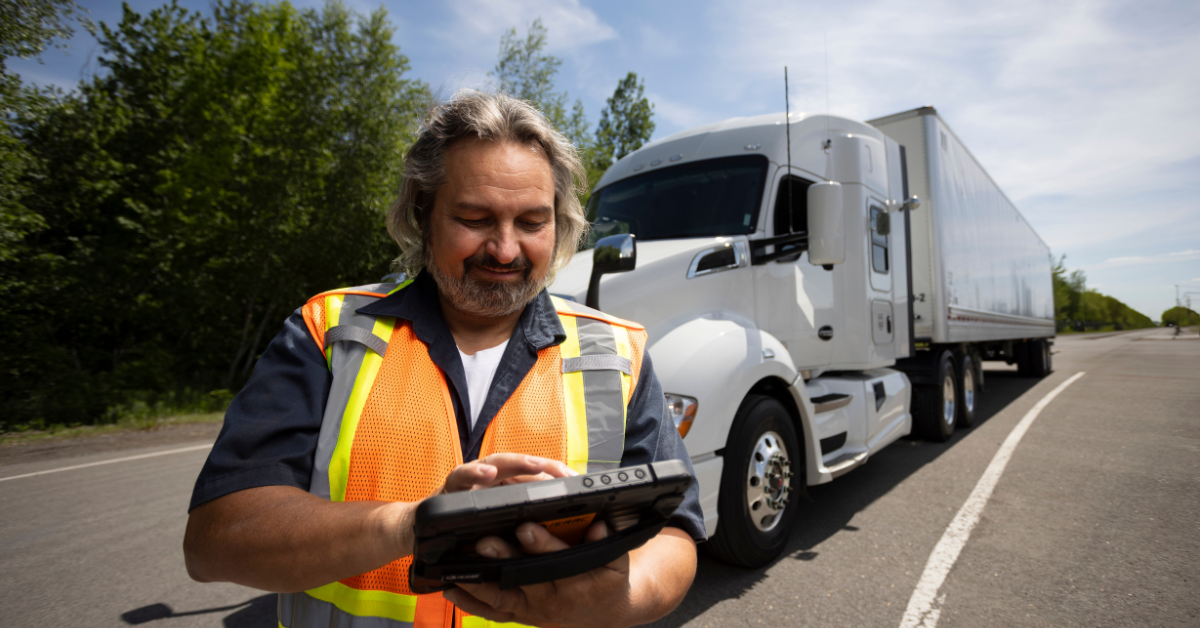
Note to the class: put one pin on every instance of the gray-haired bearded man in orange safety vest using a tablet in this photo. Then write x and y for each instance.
(373, 399)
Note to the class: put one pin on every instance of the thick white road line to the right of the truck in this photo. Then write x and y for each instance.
(926, 605)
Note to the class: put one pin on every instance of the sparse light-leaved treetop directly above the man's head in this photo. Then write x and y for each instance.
(525, 71)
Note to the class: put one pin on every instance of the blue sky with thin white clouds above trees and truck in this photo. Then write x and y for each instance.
(1088, 115)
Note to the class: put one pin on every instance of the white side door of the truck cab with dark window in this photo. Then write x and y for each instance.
(795, 298)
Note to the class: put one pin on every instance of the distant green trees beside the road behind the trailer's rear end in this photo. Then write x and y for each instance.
(1079, 309)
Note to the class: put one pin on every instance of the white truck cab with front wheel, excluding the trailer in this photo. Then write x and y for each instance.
(772, 278)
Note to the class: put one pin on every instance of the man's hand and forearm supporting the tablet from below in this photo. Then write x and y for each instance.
(639, 588)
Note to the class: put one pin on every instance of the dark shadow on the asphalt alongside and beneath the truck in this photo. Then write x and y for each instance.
(832, 506)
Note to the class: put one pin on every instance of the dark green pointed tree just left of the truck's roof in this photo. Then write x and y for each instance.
(626, 124)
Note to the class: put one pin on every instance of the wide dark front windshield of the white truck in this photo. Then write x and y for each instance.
(706, 199)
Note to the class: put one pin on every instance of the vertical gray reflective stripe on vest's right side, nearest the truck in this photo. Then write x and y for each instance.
(603, 399)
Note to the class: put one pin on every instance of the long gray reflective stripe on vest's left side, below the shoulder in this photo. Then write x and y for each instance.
(344, 366)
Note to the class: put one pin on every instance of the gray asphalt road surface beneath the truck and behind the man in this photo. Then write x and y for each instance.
(1096, 521)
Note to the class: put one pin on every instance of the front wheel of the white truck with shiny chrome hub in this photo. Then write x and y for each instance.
(758, 503)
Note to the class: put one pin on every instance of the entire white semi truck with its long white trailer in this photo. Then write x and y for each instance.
(814, 289)
